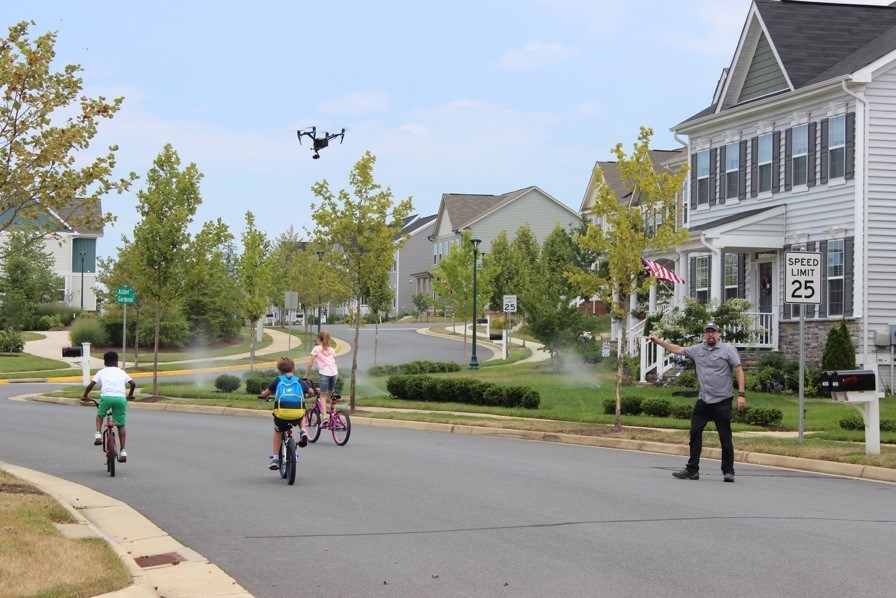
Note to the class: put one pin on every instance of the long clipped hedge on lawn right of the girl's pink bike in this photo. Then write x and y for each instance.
(461, 390)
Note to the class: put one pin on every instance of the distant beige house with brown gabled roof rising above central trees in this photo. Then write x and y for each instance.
(487, 216)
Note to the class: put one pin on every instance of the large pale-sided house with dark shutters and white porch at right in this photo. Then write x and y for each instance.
(795, 153)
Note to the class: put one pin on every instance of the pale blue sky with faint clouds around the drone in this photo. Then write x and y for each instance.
(484, 96)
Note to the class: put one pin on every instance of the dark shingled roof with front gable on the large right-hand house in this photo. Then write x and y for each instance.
(796, 44)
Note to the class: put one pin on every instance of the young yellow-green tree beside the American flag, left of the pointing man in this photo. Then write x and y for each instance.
(627, 234)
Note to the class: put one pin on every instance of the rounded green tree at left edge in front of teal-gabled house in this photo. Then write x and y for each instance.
(26, 280)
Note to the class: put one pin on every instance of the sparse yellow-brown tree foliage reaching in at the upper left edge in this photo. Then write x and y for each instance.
(45, 128)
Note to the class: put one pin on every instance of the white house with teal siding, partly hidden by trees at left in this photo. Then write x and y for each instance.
(73, 249)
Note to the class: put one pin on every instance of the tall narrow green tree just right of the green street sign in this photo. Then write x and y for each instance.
(162, 243)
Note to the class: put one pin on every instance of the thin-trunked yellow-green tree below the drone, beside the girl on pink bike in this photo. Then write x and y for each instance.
(364, 223)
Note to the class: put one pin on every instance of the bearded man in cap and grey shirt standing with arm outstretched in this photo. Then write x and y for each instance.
(714, 361)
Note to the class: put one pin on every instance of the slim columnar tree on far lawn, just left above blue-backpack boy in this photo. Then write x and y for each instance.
(255, 279)
